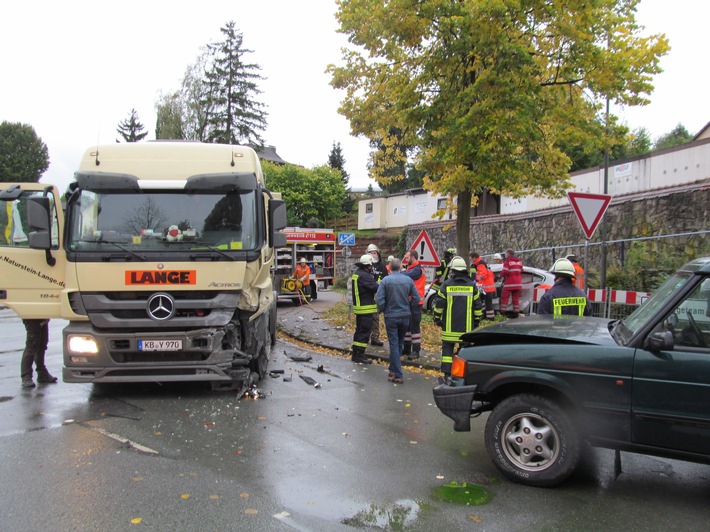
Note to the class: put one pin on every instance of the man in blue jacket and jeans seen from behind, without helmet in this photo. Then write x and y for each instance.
(395, 297)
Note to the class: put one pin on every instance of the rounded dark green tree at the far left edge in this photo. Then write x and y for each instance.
(23, 155)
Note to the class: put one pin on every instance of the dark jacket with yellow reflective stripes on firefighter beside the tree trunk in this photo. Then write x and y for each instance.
(458, 307)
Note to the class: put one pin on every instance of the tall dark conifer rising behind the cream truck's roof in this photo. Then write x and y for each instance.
(235, 117)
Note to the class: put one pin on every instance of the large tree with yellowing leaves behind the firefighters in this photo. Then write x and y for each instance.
(483, 89)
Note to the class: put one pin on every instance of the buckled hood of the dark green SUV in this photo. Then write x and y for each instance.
(545, 329)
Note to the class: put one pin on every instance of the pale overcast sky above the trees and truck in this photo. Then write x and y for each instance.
(74, 69)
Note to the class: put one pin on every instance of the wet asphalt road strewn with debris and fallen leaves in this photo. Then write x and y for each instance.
(357, 451)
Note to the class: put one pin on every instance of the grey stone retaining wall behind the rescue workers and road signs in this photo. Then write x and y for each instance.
(532, 234)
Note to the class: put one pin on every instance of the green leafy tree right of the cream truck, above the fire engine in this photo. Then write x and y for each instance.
(316, 193)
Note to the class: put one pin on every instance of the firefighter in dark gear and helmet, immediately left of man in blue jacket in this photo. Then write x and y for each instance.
(364, 288)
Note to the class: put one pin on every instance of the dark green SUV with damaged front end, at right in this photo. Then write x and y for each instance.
(641, 384)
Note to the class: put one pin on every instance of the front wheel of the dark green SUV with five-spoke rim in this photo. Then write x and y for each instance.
(532, 440)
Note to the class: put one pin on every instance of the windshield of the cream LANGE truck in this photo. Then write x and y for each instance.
(160, 220)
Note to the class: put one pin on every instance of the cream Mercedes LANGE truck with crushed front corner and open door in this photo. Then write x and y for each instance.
(161, 260)
